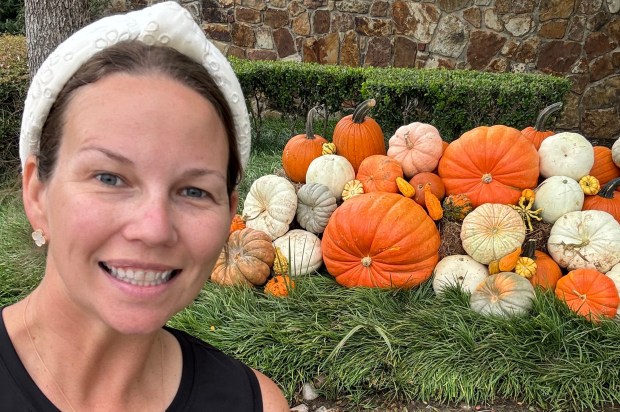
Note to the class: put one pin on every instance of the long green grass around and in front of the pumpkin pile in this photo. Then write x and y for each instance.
(400, 344)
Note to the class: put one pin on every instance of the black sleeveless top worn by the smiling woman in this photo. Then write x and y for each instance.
(210, 381)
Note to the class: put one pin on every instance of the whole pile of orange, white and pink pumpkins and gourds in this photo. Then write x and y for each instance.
(370, 214)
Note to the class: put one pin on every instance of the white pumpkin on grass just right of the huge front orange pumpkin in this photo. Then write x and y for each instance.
(458, 270)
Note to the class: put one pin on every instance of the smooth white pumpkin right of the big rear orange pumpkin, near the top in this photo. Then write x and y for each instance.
(566, 154)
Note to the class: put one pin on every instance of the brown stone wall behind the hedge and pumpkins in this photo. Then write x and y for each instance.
(579, 39)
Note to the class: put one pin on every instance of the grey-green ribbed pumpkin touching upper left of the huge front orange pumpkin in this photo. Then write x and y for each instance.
(315, 205)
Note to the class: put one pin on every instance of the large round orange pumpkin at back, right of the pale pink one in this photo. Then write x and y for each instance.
(490, 165)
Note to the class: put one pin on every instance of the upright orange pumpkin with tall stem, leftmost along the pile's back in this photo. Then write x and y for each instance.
(300, 150)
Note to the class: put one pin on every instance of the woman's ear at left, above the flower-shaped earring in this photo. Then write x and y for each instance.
(34, 195)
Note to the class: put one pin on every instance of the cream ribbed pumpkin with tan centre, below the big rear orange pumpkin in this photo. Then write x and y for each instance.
(490, 231)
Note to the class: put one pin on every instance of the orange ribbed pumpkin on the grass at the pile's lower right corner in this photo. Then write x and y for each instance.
(589, 293)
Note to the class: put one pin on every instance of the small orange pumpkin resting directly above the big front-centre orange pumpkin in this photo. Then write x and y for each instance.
(378, 173)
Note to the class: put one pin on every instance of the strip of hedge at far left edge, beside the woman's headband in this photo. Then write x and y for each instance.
(14, 80)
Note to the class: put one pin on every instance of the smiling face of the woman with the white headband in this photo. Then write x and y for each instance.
(136, 211)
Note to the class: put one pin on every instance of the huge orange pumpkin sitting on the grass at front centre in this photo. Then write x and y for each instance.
(380, 240)
